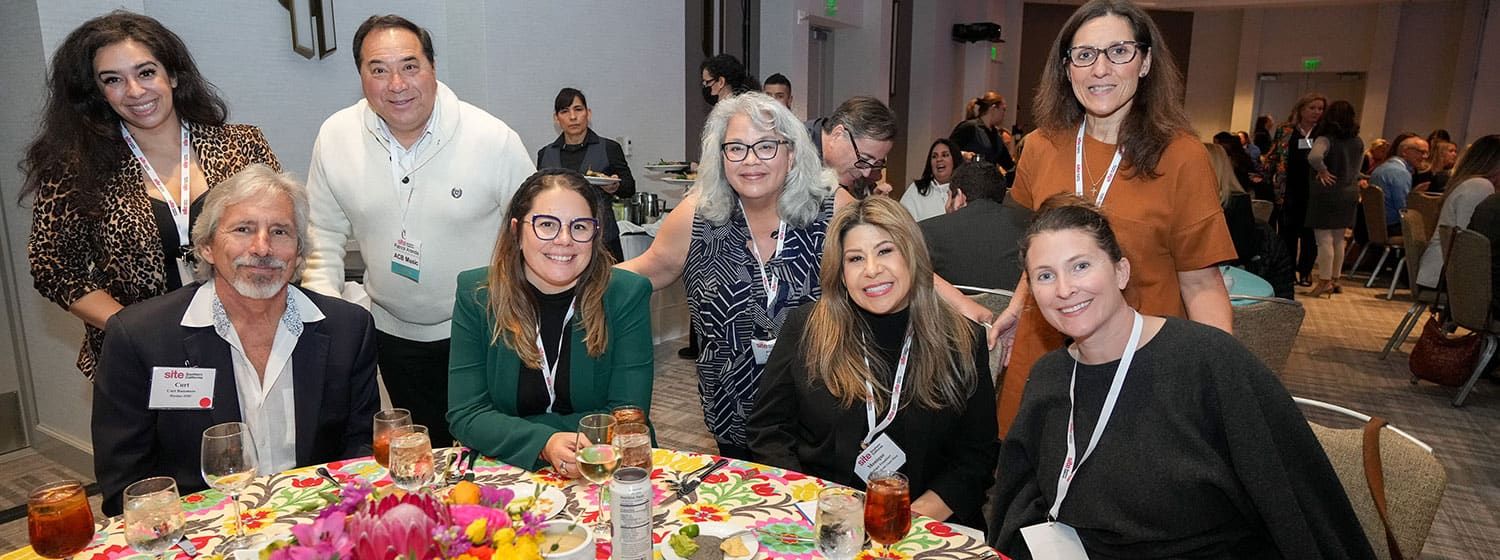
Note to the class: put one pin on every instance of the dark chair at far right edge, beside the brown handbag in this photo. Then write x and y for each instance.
(1468, 266)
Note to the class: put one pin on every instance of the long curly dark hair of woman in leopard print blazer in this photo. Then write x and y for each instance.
(80, 133)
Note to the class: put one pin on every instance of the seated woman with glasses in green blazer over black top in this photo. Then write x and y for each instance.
(517, 385)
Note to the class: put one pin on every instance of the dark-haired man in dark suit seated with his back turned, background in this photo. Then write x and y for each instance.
(977, 242)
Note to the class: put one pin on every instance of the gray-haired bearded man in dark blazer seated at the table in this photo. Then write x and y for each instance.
(239, 346)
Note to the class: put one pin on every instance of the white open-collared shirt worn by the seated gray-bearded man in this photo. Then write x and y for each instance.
(268, 408)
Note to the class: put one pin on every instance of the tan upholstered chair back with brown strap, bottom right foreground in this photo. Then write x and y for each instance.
(1414, 478)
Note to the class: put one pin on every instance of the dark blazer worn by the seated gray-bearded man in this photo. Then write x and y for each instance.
(334, 369)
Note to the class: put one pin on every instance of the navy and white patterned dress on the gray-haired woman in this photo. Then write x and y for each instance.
(727, 300)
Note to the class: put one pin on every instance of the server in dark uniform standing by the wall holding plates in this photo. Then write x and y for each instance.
(584, 151)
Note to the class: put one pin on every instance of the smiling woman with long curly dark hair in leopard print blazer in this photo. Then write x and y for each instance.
(103, 230)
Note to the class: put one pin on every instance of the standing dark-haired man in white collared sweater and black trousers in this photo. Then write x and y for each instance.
(419, 181)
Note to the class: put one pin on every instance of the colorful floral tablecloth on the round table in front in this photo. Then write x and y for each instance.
(745, 495)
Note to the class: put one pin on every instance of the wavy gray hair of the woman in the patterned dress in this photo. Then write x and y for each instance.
(808, 184)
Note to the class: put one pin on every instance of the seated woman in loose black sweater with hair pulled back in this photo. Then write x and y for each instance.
(1180, 442)
